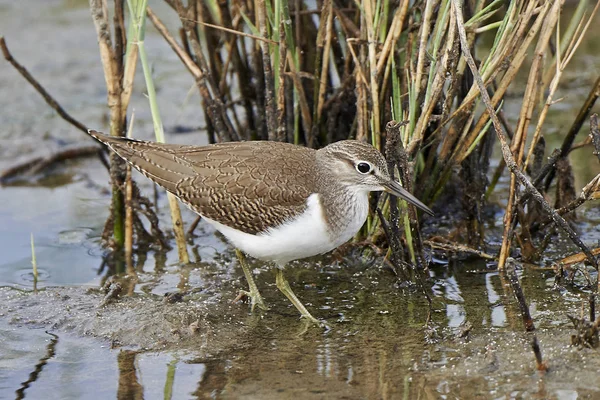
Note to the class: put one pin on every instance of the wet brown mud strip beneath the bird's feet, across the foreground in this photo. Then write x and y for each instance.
(385, 336)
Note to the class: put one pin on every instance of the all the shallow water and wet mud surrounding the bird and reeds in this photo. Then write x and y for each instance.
(61, 342)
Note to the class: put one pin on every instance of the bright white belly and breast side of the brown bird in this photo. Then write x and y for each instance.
(302, 237)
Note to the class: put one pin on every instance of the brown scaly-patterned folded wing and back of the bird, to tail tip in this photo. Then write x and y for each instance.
(250, 186)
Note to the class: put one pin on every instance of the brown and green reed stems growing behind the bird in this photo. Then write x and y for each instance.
(423, 81)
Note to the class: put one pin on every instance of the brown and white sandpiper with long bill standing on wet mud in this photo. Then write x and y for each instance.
(274, 201)
